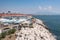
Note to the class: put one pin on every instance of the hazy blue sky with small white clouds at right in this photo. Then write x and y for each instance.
(30, 6)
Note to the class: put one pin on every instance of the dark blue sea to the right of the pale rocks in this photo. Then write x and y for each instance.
(53, 23)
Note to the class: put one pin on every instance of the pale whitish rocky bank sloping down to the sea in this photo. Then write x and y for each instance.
(37, 32)
